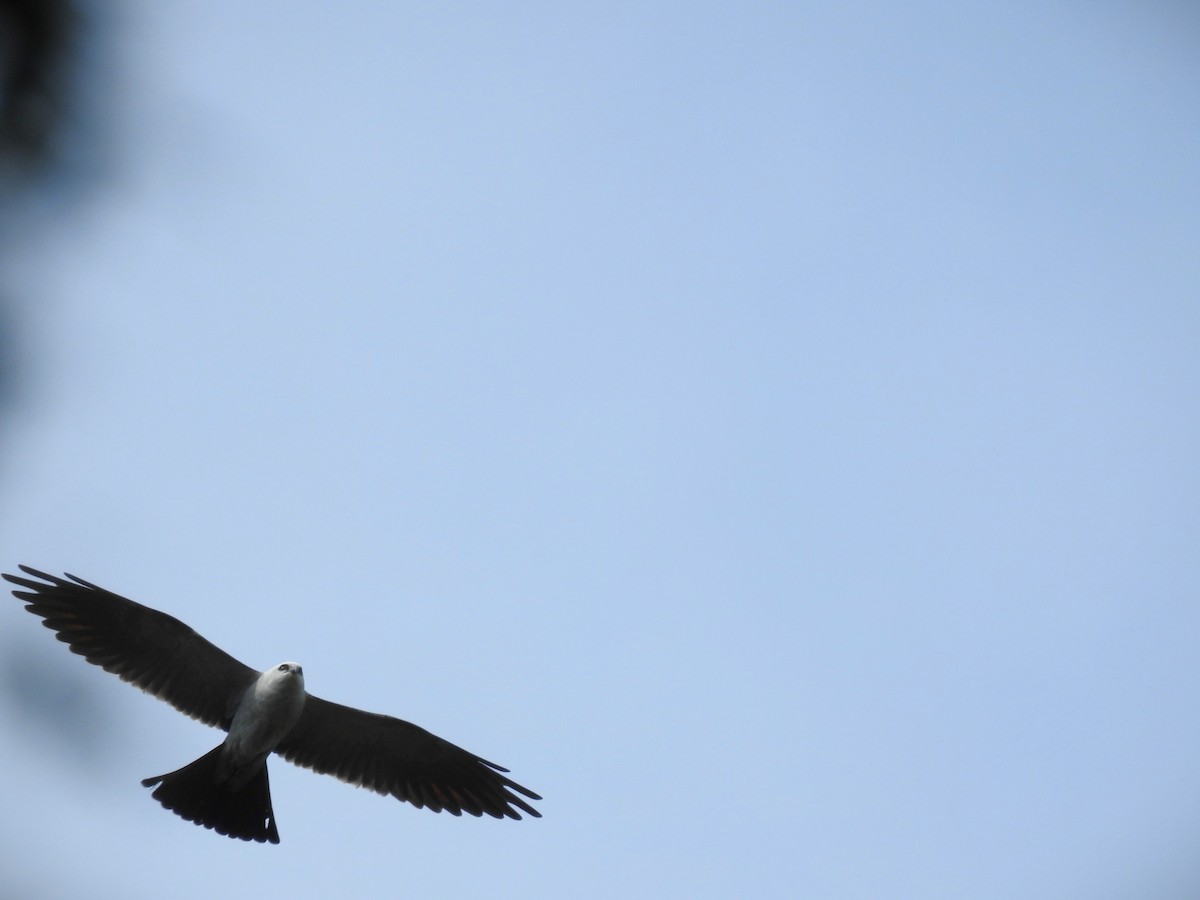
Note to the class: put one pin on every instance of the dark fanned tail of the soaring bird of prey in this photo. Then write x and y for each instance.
(195, 794)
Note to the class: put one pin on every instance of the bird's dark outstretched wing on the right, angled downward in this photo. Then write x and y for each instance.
(395, 758)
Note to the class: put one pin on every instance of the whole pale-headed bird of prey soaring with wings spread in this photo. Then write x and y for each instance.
(266, 712)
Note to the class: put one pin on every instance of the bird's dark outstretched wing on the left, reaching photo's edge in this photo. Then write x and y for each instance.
(152, 650)
